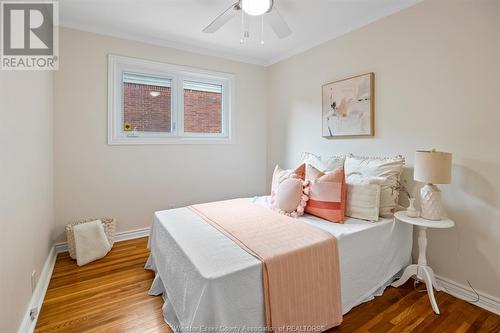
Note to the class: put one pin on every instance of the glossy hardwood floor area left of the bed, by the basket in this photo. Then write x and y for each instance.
(109, 295)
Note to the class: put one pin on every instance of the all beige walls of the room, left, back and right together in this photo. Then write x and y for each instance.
(437, 70)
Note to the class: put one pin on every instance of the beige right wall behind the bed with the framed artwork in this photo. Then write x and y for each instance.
(437, 70)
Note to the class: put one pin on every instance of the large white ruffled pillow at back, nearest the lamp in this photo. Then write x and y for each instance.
(384, 171)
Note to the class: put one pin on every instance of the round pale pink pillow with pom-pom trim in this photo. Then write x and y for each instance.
(291, 196)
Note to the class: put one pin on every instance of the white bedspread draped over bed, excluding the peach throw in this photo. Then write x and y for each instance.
(209, 281)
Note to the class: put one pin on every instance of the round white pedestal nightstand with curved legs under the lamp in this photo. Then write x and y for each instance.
(421, 270)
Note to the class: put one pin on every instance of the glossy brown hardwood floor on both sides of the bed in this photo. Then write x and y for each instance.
(110, 295)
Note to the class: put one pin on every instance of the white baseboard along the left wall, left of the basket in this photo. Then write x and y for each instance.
(28, 325)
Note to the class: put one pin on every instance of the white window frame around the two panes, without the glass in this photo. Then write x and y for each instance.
(117, 65)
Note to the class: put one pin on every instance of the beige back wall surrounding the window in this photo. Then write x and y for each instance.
(131, 182)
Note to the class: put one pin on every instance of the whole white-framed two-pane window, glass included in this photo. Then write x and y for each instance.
(157, 103)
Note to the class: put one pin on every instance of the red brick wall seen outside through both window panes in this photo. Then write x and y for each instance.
(146, 113)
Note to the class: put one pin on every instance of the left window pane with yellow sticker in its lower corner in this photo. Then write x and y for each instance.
(147, 103)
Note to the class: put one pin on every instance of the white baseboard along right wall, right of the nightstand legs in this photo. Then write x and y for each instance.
(458, 290)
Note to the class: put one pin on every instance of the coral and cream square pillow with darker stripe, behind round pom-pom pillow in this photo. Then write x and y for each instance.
(327, 196)
